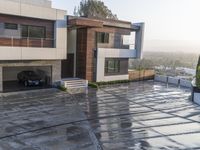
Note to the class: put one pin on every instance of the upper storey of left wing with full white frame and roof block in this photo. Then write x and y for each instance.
(32, 31)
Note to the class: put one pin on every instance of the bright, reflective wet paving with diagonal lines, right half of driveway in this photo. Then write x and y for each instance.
(143, 116)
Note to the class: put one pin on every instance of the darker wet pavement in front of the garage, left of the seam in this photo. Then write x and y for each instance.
(43, 120)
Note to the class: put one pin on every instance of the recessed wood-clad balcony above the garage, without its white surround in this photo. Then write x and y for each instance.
(26, 32)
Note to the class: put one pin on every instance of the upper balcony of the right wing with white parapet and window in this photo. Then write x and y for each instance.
(116, 45)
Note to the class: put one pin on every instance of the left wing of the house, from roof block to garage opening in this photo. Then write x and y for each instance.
(33, 36)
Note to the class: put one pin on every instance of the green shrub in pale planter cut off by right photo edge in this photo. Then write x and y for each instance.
(196, 85)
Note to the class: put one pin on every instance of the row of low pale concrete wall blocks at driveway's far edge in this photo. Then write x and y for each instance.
(173, 80)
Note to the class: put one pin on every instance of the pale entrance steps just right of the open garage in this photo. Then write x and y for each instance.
(74, 83)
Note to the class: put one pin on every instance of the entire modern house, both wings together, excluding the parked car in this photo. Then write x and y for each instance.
(36, 37)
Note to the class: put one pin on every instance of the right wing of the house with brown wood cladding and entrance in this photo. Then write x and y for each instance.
(100, 49)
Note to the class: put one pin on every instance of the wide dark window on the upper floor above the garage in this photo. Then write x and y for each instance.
(33, 31)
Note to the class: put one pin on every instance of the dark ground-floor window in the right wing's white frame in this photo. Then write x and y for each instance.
(112, 66)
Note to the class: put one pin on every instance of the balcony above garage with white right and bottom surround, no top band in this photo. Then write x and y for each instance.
(23, 38)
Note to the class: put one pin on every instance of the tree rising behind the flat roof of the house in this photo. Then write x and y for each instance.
(93, 8)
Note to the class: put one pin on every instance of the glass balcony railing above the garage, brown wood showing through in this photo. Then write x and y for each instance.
(27, 42)
